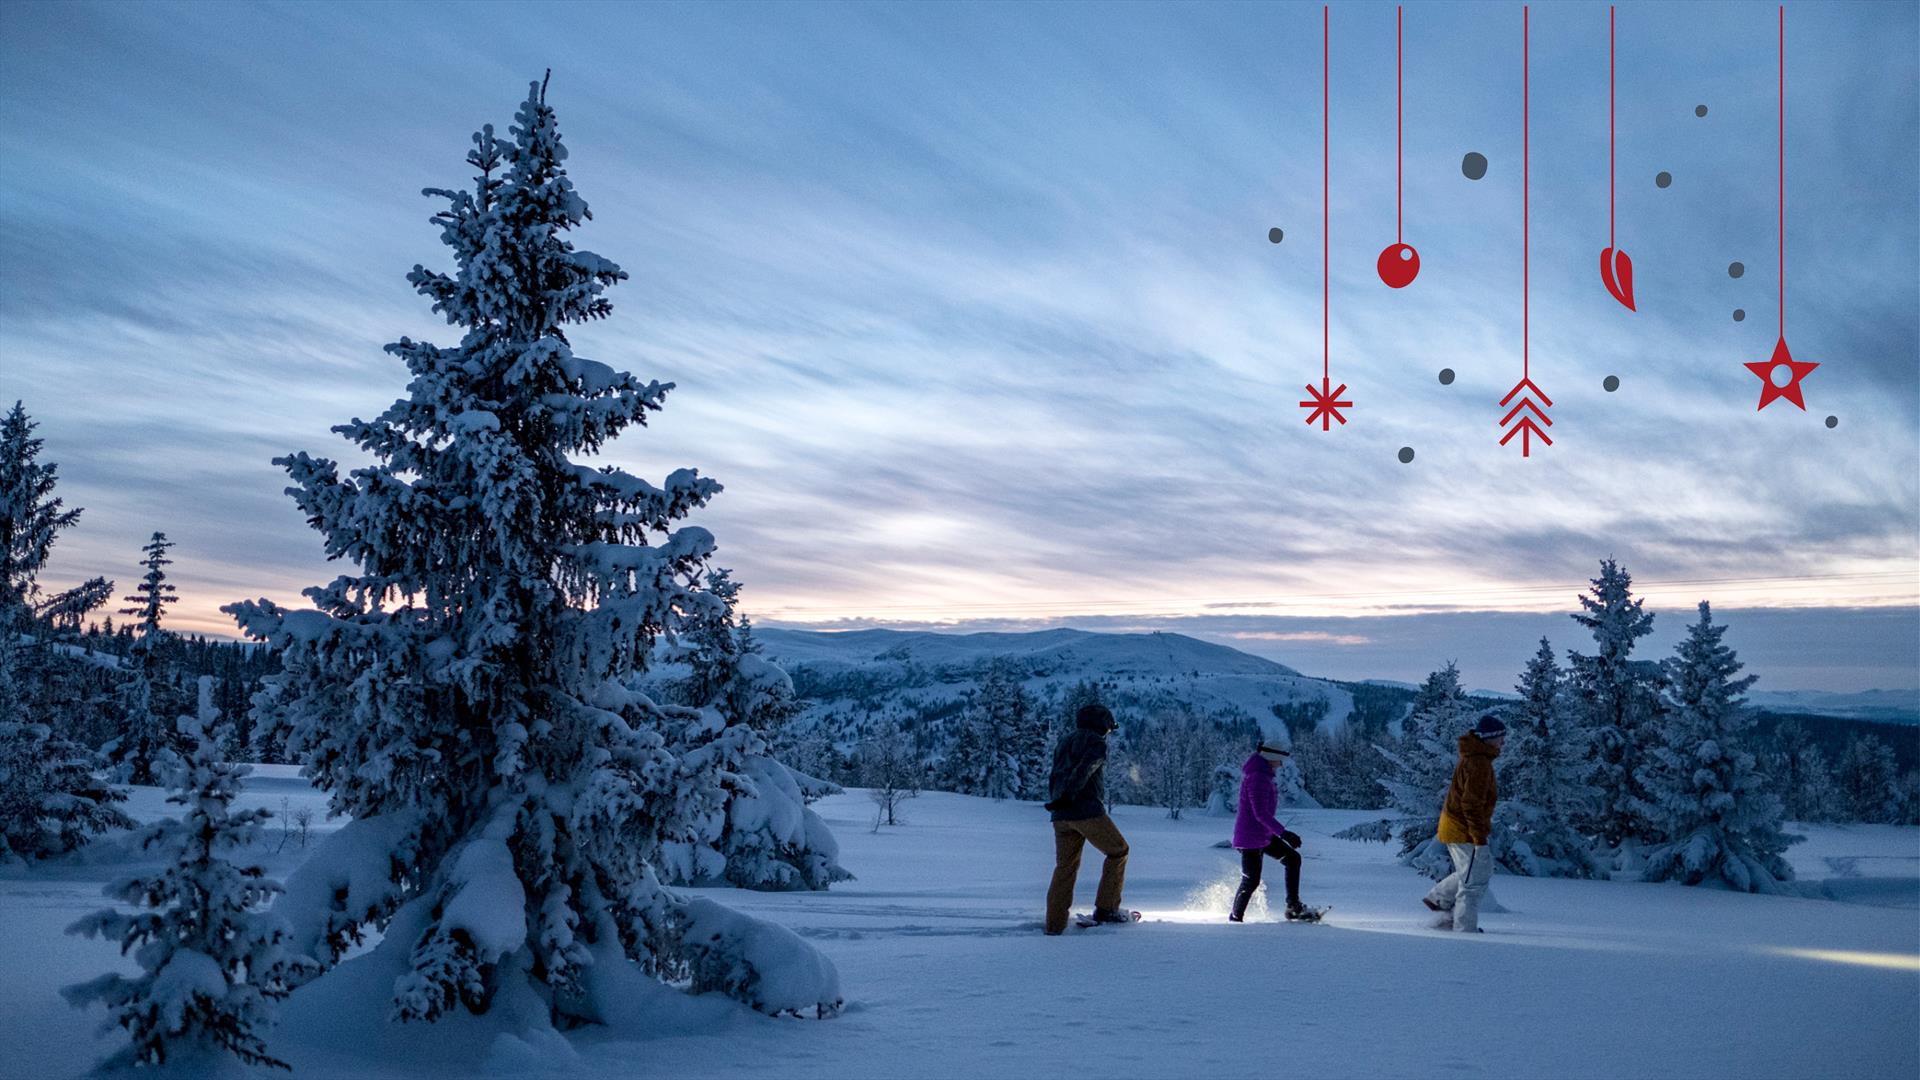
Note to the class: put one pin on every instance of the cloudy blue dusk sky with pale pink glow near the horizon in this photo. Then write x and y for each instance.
(974, 312)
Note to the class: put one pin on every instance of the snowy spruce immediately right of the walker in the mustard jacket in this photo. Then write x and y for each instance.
(1543, 781)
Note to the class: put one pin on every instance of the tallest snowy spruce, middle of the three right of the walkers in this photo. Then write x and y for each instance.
(1616, 699)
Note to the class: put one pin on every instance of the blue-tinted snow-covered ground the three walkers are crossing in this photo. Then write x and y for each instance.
(948, 973)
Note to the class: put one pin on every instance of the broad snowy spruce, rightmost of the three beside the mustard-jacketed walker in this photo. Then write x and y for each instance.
(1710, 804)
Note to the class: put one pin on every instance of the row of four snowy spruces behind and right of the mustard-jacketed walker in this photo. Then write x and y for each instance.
(1614, 764)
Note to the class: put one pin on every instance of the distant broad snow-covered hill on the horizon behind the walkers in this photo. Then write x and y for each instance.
(850, 674)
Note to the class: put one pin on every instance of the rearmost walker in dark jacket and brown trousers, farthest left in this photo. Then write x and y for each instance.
(1078, 802)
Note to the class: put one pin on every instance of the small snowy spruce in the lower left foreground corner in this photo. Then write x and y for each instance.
(212, 964)
